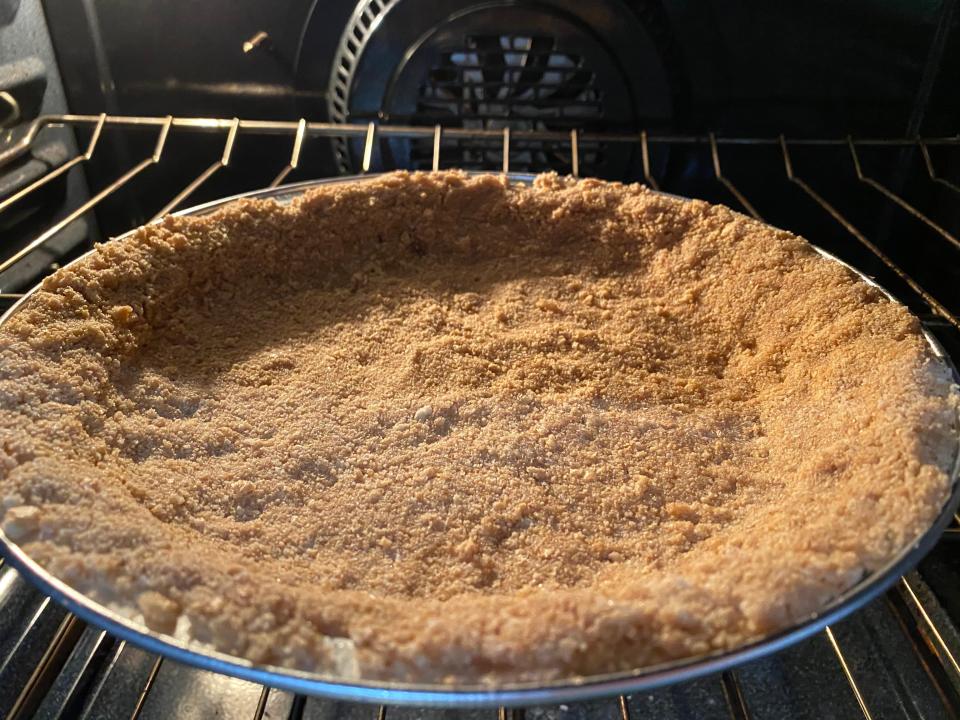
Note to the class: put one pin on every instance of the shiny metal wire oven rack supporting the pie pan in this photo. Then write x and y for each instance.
(912, 600)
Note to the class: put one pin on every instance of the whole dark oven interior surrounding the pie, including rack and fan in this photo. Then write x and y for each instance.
(836, 122)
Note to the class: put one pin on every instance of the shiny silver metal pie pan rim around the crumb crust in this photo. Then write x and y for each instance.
(568, 690)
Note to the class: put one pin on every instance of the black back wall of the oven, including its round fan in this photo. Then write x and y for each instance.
(749, 67)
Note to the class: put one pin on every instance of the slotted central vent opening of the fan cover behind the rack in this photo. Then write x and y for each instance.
(523, 82)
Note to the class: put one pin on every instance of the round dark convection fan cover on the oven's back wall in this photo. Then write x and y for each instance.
(552, 65)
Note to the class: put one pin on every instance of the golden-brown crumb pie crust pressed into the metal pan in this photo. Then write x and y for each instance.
(464, 431)
